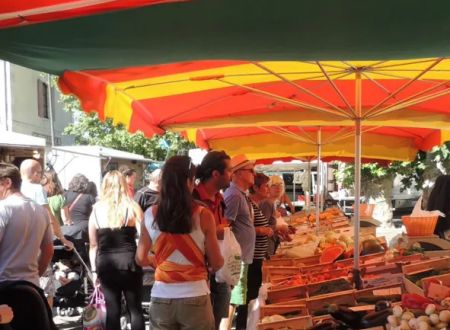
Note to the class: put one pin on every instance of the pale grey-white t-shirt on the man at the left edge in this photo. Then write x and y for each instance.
(24, 229)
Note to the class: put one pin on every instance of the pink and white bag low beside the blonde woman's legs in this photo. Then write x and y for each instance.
(94, 314)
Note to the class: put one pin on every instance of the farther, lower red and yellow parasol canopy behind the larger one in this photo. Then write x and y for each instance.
(379, 143)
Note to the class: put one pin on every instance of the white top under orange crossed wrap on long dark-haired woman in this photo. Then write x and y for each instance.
(182, 289)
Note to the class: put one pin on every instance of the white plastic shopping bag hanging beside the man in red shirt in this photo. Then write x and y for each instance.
(231, 252)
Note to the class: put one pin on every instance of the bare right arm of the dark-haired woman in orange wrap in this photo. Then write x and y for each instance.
(213, 255)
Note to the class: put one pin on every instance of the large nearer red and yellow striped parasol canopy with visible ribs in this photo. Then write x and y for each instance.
(222, 94)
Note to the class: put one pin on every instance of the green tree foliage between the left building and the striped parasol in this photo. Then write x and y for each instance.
(88, 129)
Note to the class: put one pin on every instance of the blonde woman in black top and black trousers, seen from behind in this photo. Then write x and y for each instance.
(112, 234)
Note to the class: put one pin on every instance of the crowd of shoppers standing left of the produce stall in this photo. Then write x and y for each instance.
(178, 221)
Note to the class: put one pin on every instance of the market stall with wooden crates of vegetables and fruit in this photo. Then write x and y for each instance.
(309, 282)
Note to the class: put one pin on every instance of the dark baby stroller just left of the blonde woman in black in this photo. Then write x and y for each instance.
(73, 280)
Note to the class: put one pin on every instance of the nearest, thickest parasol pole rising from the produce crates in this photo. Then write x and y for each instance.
(356, 271)
